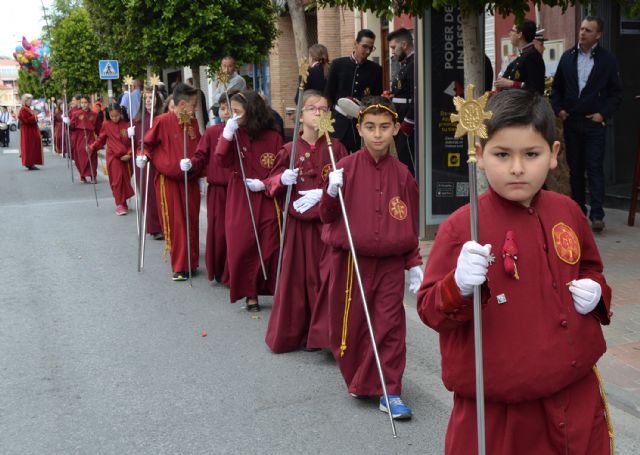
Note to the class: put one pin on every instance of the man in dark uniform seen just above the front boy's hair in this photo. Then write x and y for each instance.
(527, 71)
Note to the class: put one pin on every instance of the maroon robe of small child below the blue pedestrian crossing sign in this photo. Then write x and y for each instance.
(118, 145)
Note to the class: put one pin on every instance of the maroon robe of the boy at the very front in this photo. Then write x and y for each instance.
(541, 395)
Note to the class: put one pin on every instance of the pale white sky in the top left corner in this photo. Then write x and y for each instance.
(20, 18)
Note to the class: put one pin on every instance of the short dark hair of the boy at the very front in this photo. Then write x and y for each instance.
(517, 108)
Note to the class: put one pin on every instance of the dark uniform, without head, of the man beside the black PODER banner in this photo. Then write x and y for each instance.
(402, 88)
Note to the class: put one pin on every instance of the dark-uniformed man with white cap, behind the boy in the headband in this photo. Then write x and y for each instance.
(355, 77)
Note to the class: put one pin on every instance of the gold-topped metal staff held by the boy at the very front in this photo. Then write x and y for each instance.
(470, 117)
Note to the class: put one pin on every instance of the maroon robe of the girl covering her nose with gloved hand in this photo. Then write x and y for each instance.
(245, 274)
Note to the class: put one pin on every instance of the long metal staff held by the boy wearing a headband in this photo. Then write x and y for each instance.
(324, 127)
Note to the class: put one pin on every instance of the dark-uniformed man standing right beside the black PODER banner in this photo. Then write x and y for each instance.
(402, 87)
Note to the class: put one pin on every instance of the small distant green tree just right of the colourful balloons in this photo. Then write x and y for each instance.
(75, 50)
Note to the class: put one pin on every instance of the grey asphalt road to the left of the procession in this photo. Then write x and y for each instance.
(98, 358)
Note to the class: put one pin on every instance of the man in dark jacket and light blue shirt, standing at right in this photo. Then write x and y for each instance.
(586, 92)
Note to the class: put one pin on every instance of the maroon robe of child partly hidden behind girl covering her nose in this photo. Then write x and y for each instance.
(217, 177)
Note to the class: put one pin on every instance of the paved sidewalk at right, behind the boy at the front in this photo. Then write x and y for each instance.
(619, 246)
